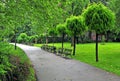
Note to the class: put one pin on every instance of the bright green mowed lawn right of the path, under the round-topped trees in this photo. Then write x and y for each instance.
(109, 55)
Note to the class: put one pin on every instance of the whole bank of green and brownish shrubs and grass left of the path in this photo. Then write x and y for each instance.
(14, 64)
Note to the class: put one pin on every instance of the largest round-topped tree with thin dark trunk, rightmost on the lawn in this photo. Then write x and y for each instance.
(100, 19)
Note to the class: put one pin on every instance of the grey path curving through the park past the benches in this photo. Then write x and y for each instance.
(50, 67)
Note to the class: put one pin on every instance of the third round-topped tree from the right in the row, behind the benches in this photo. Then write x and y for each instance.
(61, 28)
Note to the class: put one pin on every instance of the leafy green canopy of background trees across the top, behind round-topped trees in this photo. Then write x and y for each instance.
(44, 14)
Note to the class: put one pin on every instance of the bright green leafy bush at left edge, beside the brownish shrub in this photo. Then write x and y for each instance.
(4, 58)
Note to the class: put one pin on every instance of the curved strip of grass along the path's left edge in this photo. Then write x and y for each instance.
(26, 62)
